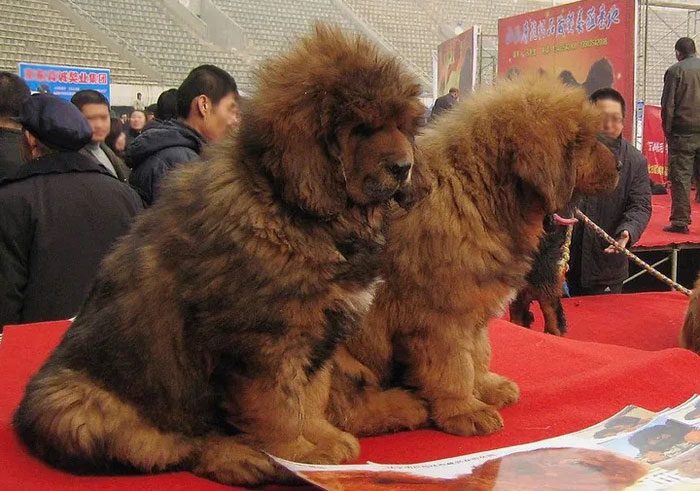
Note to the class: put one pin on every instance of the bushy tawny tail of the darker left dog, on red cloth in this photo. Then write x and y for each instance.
(74, 424)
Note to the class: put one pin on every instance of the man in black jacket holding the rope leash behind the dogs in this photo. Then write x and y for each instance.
(595, 266)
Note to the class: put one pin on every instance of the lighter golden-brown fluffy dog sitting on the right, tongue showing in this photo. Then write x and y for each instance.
(494, 166)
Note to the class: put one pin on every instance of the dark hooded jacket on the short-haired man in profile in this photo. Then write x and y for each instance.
(158, 150)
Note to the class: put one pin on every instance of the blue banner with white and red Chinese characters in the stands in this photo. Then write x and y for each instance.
(64, 81)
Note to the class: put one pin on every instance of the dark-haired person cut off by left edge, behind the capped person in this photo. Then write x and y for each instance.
(13, 92)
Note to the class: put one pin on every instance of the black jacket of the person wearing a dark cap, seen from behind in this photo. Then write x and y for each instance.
(60, 215)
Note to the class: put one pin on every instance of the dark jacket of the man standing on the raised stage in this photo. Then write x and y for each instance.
(680, 102)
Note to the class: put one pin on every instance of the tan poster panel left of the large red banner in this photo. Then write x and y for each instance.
(457, 59)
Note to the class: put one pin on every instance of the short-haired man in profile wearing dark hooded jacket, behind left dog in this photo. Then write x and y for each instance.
(207, 106)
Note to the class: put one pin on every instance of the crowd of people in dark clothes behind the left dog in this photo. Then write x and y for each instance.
(72, 178)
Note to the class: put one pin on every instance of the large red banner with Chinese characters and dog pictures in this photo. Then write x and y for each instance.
(590, 44)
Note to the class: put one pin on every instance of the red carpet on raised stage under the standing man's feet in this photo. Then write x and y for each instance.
(654, 236)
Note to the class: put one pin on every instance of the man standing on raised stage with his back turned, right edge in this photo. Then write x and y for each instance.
(680, 116)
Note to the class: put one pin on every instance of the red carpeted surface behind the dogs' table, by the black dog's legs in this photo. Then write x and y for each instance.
(648, 321)
